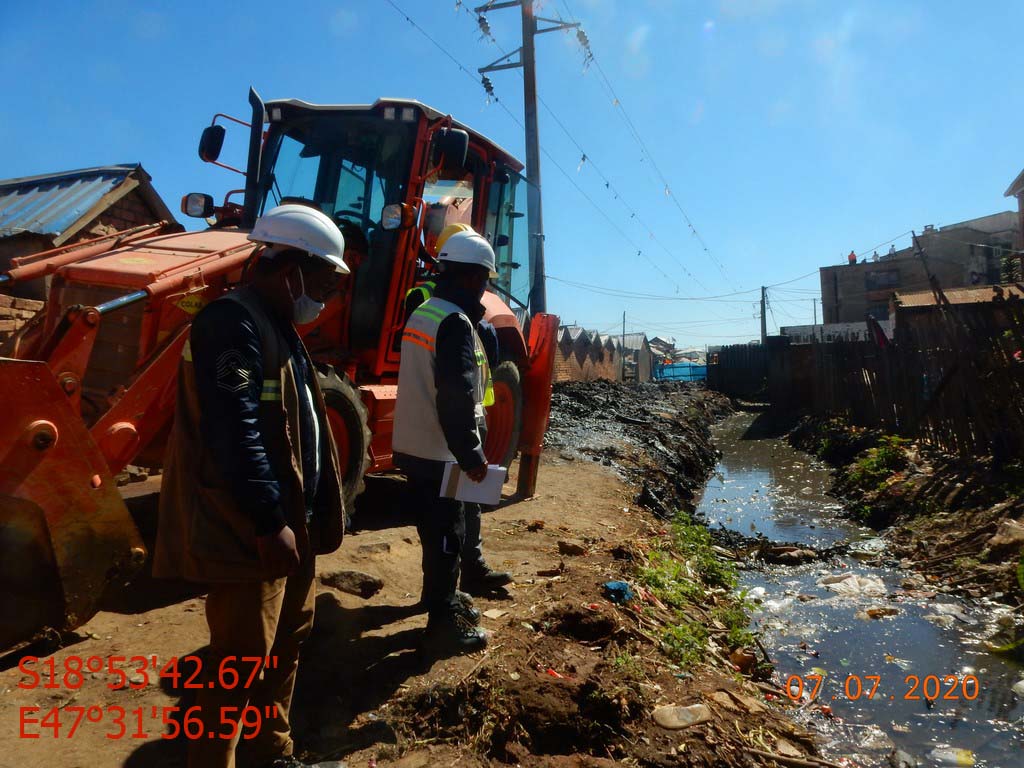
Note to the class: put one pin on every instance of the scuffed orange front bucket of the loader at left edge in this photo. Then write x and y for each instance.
(65, 531)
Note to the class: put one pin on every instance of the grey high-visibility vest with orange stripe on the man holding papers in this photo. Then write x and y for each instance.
(417, 426)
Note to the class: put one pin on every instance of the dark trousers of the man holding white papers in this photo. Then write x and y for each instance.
(442, 526)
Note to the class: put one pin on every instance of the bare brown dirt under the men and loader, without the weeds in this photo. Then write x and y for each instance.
(570, 680)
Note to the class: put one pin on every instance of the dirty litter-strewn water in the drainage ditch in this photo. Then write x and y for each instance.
(882, 642)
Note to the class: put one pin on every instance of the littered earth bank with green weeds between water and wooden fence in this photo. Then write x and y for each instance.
(960, 523)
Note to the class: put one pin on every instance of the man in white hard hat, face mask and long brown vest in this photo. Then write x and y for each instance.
(252, 489)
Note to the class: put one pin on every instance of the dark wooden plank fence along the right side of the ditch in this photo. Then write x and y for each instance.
(953, 376)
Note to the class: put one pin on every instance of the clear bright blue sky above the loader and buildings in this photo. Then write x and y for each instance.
(790, 132)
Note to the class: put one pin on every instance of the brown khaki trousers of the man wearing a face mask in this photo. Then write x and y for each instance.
(253, 619)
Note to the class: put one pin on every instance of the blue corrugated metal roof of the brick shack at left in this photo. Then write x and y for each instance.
(61, 204)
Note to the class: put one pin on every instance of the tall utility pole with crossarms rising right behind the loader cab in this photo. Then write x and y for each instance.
(535, 221)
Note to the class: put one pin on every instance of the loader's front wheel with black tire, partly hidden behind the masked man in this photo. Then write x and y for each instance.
(347, 408)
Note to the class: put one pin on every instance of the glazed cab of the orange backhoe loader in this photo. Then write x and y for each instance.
(383, 168)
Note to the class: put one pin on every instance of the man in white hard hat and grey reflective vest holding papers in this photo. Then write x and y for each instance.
(444, 386)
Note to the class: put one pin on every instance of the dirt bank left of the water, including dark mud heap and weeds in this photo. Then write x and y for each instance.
(574, 676)
